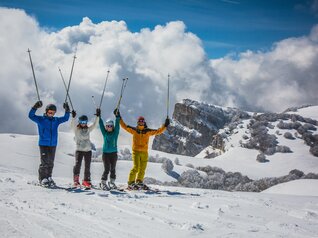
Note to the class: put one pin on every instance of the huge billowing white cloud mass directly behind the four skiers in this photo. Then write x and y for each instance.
(145, 57)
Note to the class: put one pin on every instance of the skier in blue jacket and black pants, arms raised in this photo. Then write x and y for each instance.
(48, 136)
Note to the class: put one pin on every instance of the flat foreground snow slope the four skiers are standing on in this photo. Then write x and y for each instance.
(33, 211)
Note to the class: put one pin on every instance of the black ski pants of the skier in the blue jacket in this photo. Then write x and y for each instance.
(47, 161)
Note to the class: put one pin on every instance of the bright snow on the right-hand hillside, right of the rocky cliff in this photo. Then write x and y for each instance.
(238, 159)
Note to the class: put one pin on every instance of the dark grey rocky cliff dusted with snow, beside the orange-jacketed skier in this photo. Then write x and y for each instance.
(193, 127)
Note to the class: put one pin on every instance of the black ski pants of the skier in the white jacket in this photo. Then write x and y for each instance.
(79, 155)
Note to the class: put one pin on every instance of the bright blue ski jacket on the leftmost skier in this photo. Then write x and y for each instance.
(47, 127)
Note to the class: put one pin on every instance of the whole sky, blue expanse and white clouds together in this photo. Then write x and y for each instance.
(257, 56)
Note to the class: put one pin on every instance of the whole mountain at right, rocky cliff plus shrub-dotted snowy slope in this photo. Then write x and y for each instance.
(205, 130)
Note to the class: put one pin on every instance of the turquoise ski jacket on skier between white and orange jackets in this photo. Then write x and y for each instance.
(110, 138)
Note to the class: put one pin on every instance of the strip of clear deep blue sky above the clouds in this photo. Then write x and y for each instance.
(224, 26)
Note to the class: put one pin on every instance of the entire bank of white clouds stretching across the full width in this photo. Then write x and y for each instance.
(284, 76)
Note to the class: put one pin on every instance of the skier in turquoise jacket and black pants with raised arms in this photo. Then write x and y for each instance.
(110, 133)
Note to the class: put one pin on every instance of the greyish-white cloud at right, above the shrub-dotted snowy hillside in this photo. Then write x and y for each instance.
(282, 77)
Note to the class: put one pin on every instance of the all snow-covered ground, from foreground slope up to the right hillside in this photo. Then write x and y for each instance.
(289, 209)
